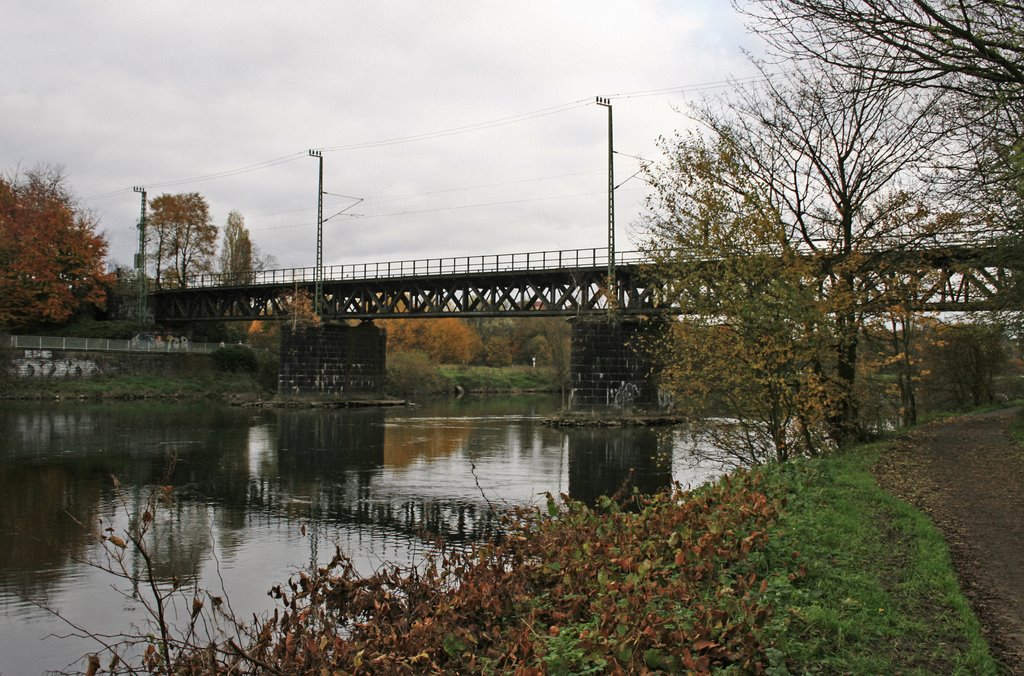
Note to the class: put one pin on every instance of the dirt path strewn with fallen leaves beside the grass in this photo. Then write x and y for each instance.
(968, 474)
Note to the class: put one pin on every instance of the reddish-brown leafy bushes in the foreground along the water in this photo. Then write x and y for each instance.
(678, 583)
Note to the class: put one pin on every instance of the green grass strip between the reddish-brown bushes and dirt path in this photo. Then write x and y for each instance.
(880, 595)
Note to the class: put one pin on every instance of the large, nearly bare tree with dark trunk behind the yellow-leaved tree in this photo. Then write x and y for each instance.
(830, 157)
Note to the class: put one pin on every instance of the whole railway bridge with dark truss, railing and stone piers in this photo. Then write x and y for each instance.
(612, 305)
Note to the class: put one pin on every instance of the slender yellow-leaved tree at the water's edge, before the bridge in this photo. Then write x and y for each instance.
(756, 332)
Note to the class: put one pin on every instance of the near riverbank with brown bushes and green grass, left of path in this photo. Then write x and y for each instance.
(807, 567)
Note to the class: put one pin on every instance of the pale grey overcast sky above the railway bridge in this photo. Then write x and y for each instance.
(466, 128)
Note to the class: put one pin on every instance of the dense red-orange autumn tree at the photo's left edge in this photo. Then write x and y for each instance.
(52, 257)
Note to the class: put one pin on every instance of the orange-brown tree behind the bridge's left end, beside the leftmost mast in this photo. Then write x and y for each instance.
(187, 238)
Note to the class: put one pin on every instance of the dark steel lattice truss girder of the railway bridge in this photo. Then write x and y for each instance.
(962, 279)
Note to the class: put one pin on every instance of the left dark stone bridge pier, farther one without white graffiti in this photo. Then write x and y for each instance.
(333, 361)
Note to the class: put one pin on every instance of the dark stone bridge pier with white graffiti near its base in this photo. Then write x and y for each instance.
(610, 370)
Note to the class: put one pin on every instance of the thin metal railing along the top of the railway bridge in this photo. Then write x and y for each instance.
(513, 263)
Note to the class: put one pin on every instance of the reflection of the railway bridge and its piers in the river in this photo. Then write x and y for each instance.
(346, 453)
